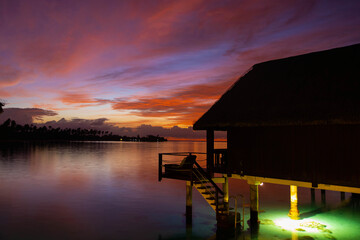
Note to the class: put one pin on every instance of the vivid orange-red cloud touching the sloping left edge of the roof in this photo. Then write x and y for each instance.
(181, 106)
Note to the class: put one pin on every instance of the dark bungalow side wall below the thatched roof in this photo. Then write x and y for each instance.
(328, 154)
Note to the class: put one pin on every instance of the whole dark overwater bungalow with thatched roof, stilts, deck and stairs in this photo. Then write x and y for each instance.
(292, 121)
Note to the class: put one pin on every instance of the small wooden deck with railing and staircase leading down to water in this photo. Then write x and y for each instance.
(196, 176)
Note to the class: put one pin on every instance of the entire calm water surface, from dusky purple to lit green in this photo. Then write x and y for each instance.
(109, 190)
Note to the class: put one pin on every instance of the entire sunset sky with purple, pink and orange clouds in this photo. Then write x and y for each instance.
(149, 67)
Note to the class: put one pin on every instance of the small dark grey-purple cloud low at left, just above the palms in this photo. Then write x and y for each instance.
(25, 115)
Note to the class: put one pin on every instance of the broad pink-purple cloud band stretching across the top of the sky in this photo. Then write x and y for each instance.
(64, 37)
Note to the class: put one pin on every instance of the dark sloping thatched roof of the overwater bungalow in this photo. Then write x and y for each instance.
(310, 89)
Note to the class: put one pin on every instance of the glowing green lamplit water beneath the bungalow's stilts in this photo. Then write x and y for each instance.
(337, 220)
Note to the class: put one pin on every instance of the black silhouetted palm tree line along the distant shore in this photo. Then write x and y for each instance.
(10, 130)
